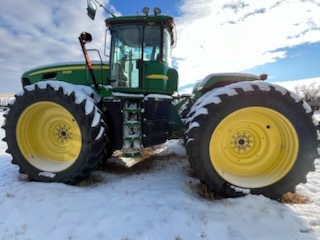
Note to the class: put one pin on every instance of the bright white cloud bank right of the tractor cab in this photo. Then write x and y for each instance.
(222, 36)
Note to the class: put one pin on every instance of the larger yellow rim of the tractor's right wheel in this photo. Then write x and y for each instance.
(254, 147)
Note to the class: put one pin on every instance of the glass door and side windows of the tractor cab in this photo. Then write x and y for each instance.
(131, 45)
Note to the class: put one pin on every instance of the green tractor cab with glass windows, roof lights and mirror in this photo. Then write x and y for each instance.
(140, 52)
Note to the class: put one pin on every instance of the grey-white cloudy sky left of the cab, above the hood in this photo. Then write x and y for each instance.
(39, 32)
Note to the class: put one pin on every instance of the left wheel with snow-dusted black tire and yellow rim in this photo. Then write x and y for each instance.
(55, 133)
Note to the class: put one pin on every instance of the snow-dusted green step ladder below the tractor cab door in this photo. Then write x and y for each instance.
(132, 128)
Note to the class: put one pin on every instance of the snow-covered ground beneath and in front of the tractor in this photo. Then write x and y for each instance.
(155, 199)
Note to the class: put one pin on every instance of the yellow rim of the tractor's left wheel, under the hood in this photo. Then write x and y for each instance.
(48, 136)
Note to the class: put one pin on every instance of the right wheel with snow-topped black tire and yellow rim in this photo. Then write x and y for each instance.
(251, 137)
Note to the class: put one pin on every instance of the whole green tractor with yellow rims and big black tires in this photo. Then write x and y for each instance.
(242, 135)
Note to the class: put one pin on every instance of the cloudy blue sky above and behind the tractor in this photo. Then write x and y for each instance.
(277, 37)
